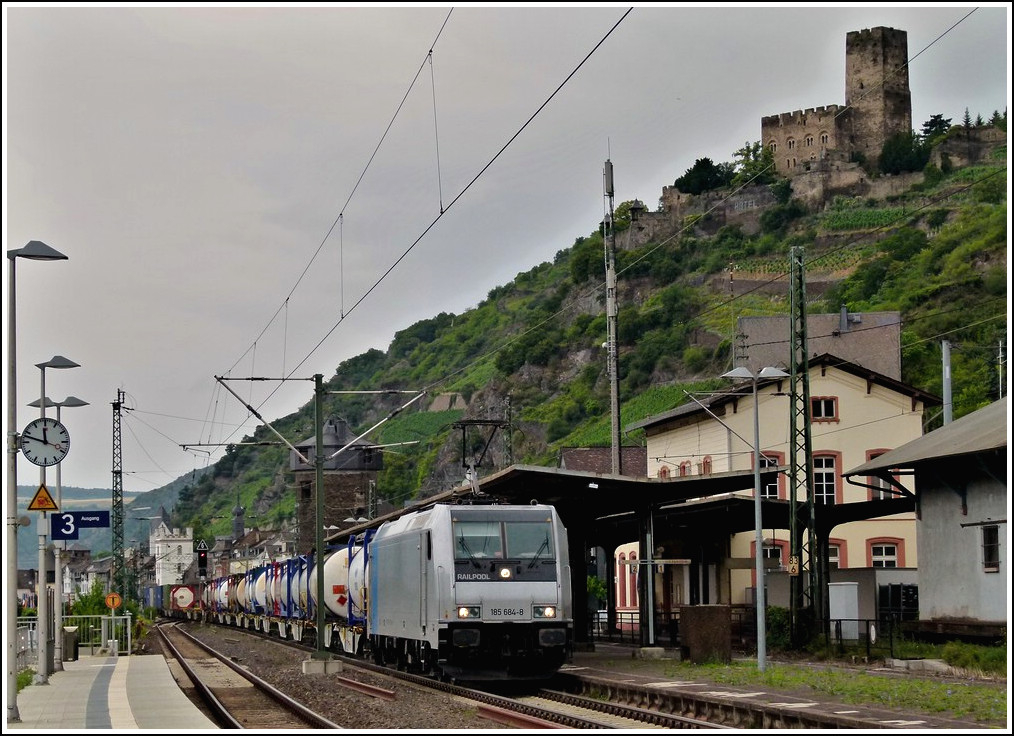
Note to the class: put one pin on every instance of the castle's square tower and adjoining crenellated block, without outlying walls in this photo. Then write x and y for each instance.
(878, 107)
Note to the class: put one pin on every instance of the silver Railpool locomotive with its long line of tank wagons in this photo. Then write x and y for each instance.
(461, 593)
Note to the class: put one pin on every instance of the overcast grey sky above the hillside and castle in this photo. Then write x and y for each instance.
(257, 190)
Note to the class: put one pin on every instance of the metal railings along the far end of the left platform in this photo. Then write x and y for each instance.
(92, 633)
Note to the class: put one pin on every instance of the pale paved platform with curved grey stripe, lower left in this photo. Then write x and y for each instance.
(110, 693)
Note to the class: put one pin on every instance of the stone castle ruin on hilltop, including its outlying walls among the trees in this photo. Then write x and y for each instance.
(821, 151)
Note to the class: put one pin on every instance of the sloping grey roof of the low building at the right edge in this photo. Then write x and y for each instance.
(975, 433)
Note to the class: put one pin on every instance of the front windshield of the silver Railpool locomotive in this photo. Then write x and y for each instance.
(522, 540)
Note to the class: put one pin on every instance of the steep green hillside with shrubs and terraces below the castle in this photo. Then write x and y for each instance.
(532, 353)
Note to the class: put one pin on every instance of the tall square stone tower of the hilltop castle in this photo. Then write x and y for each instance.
(877, 88)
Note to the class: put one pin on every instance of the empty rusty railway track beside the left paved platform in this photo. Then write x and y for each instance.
(235, 698)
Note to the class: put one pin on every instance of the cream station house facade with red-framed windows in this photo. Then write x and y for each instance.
(856, 415)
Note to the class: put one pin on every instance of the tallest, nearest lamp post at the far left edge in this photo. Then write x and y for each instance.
(34, 251)
